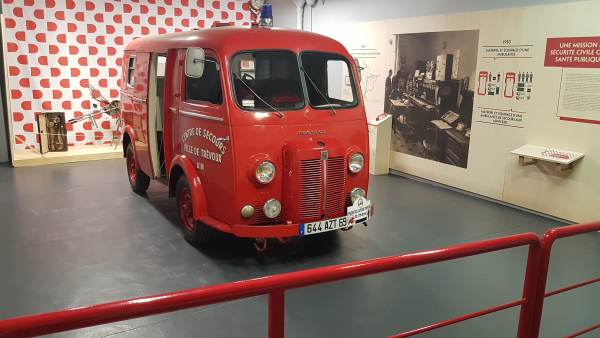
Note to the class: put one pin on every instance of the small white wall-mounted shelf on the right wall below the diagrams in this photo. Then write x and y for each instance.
(558, 156)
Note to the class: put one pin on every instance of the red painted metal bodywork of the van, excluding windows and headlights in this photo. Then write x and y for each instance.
(229, 185)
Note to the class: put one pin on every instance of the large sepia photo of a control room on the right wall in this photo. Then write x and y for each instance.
(430, 95)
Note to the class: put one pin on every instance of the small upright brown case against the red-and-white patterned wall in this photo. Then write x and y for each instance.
(52, 132)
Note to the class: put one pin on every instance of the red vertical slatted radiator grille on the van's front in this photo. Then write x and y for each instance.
(311, 187)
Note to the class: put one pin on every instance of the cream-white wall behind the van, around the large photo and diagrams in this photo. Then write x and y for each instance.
(492, 171)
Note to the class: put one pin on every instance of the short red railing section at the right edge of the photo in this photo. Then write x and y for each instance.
(540, 290)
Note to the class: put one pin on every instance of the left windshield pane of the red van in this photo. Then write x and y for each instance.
(274, 76)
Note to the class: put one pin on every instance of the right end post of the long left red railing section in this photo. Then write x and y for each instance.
(529, 291)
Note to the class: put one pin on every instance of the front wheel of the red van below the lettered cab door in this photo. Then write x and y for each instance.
(195, 232)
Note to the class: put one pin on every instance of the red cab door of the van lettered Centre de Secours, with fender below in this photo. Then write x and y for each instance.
(204, 134)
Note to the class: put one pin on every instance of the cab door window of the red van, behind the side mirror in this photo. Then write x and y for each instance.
(206, 88)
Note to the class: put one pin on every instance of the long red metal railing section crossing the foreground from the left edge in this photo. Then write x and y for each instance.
(275, 287)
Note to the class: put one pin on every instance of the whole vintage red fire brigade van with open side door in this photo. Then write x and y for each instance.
(258, 132)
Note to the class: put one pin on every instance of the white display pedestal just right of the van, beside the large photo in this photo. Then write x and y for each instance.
(380, 135)
